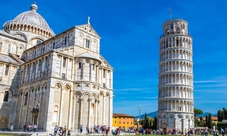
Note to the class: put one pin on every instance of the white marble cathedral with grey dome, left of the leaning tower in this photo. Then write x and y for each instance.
(48, 79)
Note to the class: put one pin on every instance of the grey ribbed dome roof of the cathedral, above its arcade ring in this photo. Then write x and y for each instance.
(31, 19)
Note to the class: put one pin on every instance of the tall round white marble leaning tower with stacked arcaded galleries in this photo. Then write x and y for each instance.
(175, 100)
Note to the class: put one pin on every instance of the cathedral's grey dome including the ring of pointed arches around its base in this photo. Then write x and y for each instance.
(29, 21)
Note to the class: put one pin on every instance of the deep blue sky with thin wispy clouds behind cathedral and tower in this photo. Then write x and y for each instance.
(130, 31)
